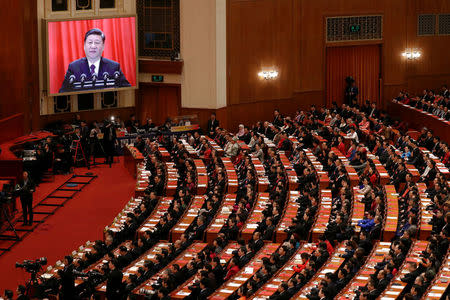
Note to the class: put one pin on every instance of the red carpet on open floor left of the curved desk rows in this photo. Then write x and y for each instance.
(81, 219)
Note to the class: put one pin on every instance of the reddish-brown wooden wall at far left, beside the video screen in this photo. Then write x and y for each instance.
(18, 62)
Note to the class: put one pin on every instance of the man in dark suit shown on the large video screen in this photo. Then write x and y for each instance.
(93, 67)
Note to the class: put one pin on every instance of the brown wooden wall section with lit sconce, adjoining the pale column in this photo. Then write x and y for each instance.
(259, 38)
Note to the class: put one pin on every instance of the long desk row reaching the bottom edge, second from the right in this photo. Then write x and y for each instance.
(396, 286)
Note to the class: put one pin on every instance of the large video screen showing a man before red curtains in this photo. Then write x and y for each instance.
(91, 55)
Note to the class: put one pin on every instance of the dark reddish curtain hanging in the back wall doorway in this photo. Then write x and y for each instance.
(360, 62)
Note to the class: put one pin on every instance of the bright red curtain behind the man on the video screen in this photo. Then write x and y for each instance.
(66, 44)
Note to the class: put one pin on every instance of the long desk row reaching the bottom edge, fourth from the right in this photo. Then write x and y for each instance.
(331, 266)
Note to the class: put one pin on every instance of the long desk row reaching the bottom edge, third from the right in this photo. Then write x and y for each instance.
(362, 277)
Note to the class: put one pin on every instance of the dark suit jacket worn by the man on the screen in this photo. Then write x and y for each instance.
(81, 66)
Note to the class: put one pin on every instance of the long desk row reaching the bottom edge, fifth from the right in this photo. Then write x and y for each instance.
(284, 274)
